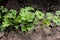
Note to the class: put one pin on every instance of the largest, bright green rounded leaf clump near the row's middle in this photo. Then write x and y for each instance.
(26, 14)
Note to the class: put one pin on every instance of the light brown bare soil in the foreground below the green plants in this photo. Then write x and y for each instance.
(37, 34)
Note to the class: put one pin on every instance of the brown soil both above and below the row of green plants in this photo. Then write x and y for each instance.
(48, 33)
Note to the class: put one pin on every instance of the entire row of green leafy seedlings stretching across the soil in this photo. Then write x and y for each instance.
(26, 19)
